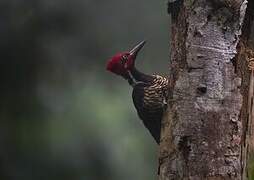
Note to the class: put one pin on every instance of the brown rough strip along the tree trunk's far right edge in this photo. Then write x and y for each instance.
(245, 69)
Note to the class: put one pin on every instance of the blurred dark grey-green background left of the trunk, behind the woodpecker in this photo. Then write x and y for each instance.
(62, 116)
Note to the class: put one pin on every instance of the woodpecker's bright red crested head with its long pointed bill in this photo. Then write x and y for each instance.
(121, 63)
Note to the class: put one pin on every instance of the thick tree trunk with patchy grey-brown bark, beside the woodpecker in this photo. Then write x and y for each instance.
(206, 130)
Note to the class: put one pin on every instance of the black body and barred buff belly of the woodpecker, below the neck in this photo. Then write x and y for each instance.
(150, 100)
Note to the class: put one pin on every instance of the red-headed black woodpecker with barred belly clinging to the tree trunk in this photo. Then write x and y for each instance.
(149, 91)
